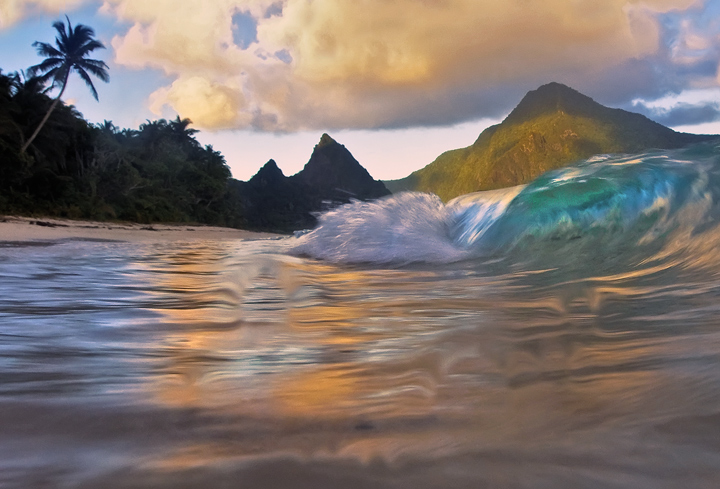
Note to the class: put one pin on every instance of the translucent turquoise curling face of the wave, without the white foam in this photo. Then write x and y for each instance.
(601, 196)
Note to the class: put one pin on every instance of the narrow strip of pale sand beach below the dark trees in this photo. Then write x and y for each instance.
(17, 228)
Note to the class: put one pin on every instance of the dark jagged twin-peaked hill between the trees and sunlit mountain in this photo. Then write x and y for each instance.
(274, 202)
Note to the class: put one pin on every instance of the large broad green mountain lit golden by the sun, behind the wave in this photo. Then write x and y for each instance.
(552, 127)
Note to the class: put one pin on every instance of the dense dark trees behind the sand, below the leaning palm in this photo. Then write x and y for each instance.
(75, 169)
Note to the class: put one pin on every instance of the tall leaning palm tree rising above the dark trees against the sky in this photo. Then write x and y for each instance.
(73, 47)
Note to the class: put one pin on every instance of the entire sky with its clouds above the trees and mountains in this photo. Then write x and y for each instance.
(396, 81)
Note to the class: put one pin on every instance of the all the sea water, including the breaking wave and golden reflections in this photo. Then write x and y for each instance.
(564, 334)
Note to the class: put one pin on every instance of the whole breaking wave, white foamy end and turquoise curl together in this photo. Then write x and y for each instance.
(603, 203)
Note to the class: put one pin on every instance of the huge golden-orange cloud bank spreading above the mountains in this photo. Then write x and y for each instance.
(328, 64)
